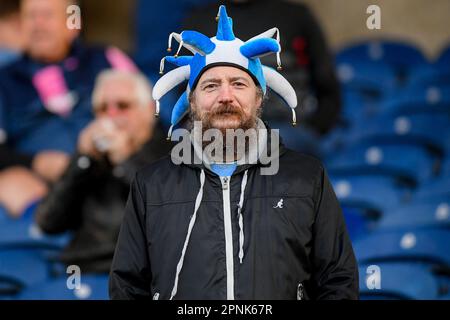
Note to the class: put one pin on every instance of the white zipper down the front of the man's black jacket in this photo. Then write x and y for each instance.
(228, 236)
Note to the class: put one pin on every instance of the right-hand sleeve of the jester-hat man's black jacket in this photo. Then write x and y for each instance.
(335, 271)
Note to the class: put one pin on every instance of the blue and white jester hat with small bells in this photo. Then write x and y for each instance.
(223, 49)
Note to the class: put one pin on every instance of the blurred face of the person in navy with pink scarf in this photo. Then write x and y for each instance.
(44, 23)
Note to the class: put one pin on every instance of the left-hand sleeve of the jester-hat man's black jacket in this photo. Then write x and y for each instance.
(130, 276)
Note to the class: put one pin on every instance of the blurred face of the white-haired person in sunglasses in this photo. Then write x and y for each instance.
(119, 104)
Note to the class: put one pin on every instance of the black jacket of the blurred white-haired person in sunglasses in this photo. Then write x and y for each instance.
(90, 200)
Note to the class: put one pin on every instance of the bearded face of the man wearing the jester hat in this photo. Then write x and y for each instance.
(226, 98)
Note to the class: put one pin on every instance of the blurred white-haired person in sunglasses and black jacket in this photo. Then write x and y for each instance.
(91, 195)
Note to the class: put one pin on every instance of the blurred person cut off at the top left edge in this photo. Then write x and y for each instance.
(11, 36)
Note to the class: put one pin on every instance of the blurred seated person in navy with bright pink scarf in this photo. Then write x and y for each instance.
(45, 102)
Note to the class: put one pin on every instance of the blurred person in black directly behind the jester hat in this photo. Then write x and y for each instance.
(306, 62)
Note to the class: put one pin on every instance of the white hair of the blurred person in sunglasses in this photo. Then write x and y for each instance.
(143, 88)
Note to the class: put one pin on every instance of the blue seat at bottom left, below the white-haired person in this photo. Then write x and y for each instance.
(92, 287)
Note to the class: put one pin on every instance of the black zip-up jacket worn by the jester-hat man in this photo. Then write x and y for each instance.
(295, 243)
